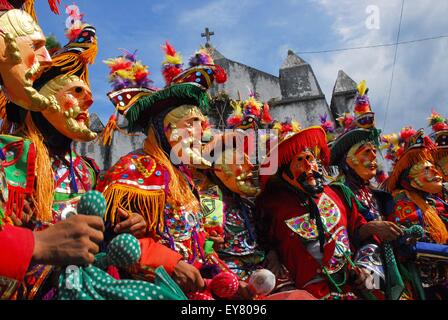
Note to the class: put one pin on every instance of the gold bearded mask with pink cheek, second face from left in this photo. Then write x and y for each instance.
(73, 98)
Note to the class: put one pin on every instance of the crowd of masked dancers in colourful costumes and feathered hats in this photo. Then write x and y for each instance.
(331, 221)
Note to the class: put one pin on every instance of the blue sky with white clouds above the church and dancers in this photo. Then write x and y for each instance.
(260, 32)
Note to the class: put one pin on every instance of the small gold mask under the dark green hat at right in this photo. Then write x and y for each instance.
(361, 158)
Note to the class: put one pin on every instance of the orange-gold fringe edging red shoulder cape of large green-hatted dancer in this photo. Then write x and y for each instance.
(150, 204)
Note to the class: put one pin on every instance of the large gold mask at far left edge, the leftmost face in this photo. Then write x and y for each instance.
(23, 57)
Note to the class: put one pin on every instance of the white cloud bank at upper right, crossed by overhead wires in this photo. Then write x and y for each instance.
(420, 72)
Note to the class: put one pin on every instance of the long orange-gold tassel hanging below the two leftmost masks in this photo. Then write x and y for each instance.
(43, 196)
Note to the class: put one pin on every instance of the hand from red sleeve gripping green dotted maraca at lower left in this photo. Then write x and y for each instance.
(73, 241)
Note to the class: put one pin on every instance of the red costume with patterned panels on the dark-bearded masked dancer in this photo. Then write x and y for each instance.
(290, 229)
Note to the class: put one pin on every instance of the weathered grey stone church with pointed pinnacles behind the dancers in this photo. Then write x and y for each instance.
(295, 92)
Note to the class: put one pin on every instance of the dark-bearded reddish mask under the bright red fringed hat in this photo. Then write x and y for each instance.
(304, 172)
